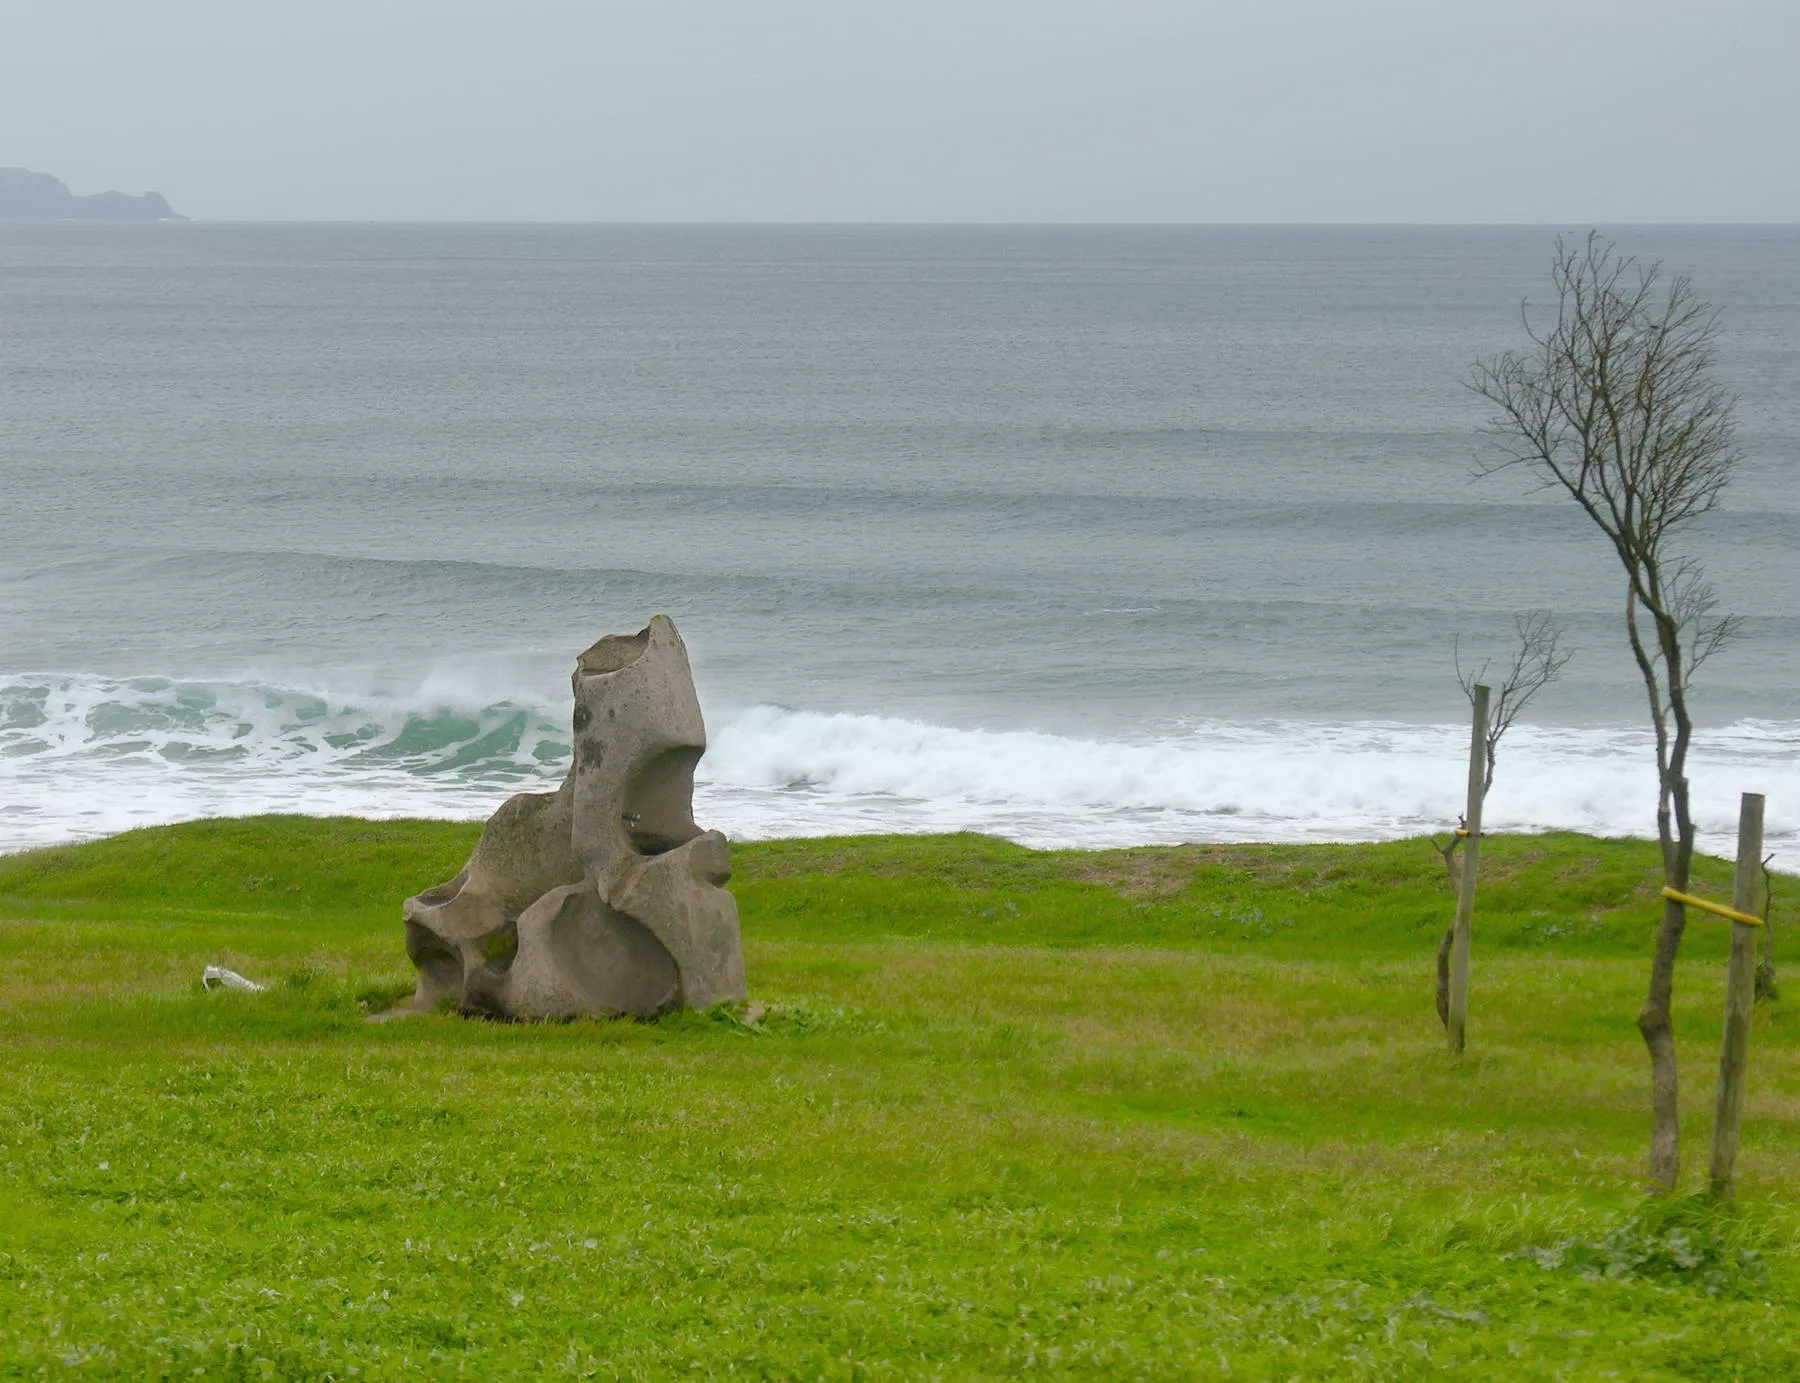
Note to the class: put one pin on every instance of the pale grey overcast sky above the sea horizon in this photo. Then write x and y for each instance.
(917, 111)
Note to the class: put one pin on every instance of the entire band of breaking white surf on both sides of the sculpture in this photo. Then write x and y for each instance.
(87, 755)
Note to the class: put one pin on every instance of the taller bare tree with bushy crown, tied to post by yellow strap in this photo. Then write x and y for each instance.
(1617, 408)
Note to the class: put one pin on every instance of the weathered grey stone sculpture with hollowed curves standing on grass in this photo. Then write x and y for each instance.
(602, 898)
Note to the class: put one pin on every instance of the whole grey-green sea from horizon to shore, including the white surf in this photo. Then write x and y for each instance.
(1075, 536)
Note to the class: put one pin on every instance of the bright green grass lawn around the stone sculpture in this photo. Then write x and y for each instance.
(993, 1114)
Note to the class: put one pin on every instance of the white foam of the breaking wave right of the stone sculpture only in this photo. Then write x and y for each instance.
(782, 773)
